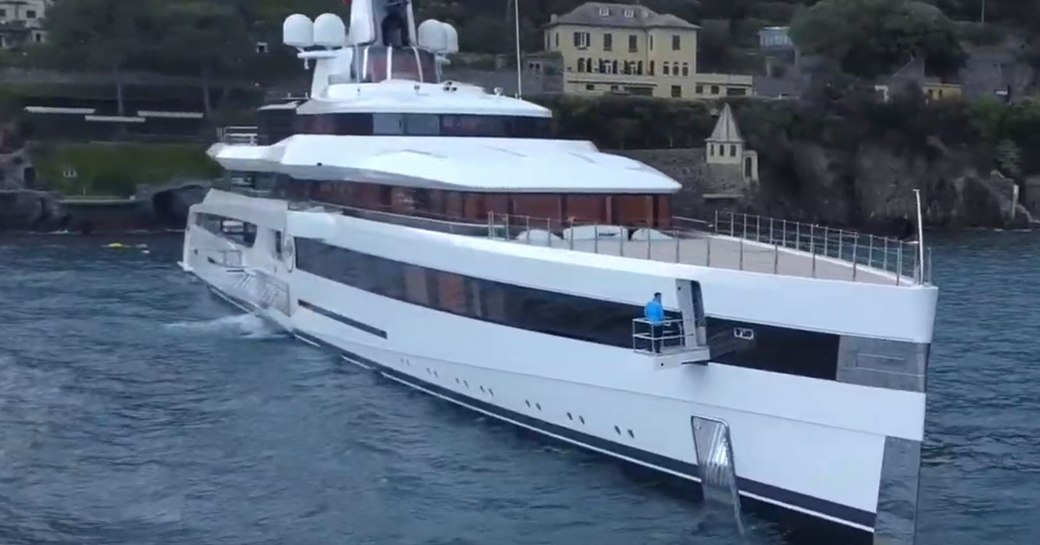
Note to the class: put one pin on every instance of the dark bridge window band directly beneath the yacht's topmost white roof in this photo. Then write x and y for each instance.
(425, 125)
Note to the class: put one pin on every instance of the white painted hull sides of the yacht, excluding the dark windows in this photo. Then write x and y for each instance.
(810, 446)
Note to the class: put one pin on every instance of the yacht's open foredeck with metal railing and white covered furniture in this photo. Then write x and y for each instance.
(741, 242)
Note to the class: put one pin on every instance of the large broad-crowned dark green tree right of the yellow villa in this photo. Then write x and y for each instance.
(873, 38)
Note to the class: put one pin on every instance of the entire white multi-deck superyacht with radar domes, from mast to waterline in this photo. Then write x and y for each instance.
(438, 235)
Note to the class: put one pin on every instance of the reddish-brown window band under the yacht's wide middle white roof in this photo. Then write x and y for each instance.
(562, 211)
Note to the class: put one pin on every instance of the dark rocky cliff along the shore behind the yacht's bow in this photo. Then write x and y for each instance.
(871, 189)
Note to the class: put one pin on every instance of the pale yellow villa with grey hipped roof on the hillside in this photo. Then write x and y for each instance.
(631, 49)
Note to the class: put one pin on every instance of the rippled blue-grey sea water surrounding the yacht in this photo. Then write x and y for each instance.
(137, 409)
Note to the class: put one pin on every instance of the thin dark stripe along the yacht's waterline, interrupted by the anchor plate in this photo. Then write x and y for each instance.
(805, 502)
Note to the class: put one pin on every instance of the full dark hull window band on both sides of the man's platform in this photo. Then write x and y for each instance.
(752, 346)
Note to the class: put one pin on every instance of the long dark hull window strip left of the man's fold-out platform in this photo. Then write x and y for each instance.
(570, 317)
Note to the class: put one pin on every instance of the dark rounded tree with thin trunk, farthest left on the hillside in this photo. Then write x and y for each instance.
(103, 35)
